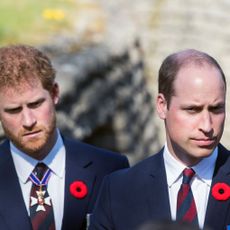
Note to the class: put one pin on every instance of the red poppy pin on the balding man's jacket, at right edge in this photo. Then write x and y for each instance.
(221, 191)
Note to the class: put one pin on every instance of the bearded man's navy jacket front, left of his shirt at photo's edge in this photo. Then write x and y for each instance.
(12, 206)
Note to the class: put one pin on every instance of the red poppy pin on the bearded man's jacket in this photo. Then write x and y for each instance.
(78, 189)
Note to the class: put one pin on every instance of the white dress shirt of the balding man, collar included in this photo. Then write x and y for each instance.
(200, 183)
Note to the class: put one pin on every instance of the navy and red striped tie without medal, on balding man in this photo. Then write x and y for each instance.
(186, 207)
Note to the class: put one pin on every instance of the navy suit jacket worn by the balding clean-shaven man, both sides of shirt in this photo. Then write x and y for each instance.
(131, 197)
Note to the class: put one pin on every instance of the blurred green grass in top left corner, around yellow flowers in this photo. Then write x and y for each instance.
(23, 22)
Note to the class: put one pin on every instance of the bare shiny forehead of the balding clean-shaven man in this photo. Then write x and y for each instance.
(199, 83)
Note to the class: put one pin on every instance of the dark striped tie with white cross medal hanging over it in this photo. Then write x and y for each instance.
(41, 211)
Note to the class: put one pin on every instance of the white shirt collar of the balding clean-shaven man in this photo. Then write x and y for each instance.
(204, 169)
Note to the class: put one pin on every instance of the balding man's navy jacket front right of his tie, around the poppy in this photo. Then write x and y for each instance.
(217, 211)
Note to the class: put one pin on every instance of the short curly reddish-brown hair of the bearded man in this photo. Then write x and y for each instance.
(19, 63)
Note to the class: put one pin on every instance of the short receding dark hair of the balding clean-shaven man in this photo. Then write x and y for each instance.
(174, 62)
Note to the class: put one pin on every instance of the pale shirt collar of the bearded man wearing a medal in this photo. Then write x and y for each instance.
(25, 164)
